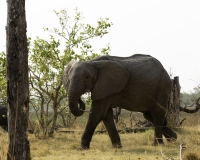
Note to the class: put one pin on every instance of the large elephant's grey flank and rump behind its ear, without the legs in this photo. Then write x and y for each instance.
(147, 81)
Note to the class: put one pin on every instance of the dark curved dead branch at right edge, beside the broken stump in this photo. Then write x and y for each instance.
(192, 108)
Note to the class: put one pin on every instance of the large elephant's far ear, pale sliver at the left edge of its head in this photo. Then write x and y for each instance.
(65, 78)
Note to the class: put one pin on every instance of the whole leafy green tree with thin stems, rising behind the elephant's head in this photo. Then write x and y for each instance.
(46, 71)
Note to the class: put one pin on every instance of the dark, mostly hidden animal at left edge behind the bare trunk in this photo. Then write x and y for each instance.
(3, 117)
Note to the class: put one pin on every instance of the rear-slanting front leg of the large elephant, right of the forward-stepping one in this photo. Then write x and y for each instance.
(111, 128)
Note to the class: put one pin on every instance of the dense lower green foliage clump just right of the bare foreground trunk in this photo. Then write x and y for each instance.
(46, 66)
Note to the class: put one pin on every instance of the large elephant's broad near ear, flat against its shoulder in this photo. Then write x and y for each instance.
(112, 78)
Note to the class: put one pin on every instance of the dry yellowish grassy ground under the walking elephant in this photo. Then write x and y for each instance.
(135, 146)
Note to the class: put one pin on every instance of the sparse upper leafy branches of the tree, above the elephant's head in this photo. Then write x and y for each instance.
(78, 34)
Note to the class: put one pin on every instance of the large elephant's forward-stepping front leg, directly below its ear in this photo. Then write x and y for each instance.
(97, 113)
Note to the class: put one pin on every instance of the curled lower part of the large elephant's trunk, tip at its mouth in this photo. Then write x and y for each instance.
(74, 100)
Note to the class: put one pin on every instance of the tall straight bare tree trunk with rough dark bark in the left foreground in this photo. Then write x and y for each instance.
(17, 81)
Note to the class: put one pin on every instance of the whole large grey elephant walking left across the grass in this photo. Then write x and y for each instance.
(137, 83)
